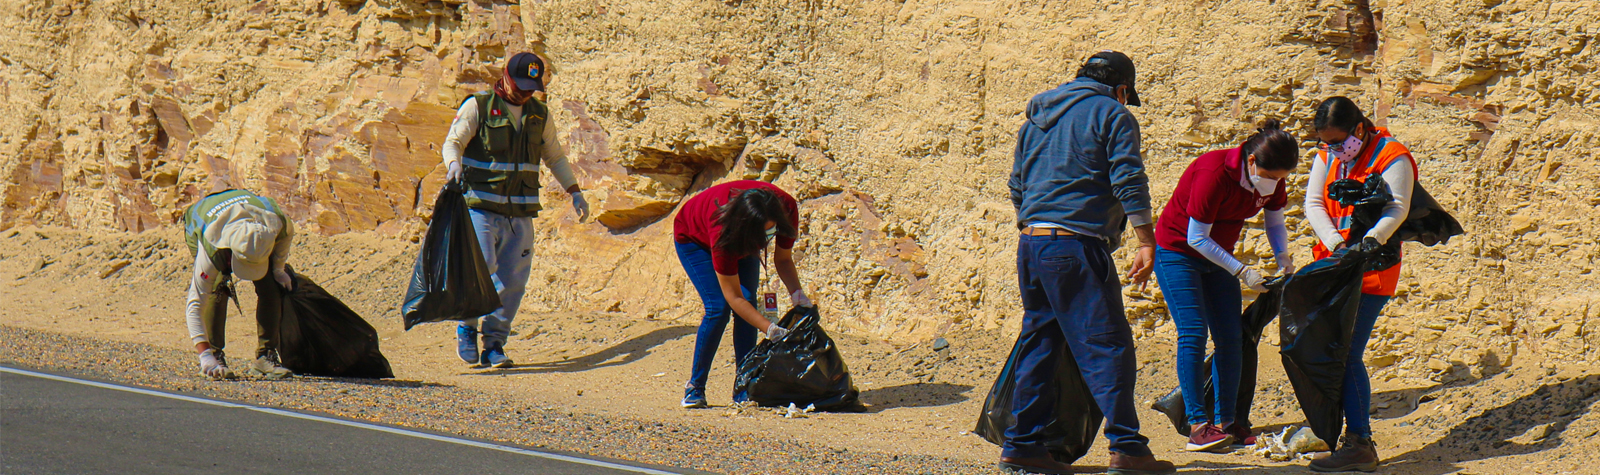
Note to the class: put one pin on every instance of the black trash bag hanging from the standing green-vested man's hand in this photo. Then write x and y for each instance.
(450, 279)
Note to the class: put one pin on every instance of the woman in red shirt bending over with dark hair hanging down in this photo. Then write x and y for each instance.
(721, 236)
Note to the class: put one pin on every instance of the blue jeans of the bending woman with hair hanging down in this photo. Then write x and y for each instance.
(697, 261)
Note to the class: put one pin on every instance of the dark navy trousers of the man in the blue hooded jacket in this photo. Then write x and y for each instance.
(1073, 300)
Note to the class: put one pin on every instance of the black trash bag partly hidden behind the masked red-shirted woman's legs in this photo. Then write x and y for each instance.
(1255, 321)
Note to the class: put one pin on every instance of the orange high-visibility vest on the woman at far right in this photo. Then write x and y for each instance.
(1385, 153)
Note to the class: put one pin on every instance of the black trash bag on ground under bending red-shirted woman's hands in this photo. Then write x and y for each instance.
(802, 369)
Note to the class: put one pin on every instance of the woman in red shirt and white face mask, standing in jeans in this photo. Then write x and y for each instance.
(1201, 277)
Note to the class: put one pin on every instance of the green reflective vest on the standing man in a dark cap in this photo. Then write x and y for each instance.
(502, 164)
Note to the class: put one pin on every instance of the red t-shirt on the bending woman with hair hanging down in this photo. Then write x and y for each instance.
(697, 223)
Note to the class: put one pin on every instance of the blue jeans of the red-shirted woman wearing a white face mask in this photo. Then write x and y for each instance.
(1204, 297)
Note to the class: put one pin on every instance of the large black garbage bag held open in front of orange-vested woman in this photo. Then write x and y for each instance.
(1316, 322)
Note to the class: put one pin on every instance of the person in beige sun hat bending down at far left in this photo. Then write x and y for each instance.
(239, 234)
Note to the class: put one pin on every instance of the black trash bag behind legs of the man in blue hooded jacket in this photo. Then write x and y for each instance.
(1074, 429)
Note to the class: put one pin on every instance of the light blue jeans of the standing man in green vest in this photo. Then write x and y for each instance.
(508, 250)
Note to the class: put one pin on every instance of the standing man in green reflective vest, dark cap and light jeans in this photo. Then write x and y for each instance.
(495, 148)
